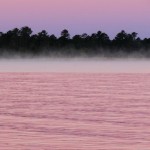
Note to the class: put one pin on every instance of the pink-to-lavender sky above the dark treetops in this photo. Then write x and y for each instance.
(78, 16)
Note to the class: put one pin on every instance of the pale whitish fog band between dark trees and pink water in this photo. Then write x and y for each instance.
(75, 65)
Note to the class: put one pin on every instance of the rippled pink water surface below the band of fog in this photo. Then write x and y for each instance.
(56, 111)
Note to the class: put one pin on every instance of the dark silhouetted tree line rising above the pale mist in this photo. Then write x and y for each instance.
(23, 41)
